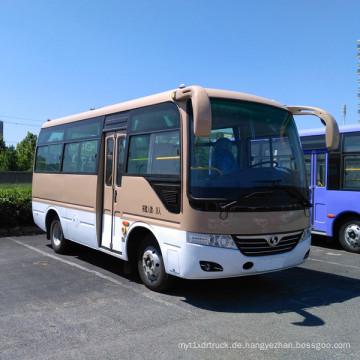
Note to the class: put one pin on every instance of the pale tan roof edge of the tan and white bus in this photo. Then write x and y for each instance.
(155, 99)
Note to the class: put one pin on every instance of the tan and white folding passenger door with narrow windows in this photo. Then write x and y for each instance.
(115, 143)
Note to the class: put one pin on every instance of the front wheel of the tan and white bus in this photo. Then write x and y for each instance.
(151, 266)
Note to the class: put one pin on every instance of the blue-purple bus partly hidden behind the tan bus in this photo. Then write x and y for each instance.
(334, 179)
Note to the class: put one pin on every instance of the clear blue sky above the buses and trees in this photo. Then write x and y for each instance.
(59, 58)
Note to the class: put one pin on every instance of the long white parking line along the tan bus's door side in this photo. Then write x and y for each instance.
(153, 296)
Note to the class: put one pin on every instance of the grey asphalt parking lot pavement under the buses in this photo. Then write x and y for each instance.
(82, 306)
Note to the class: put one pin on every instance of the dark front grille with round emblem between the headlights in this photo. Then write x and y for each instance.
(262, 245)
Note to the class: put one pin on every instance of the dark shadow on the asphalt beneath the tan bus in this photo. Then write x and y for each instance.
(293, 290)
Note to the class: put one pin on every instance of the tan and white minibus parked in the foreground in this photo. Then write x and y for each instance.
(192, 183)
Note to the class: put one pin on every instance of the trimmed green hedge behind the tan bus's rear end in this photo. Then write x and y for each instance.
(15, 207)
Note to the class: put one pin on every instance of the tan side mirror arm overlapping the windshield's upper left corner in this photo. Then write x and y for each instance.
(201, 108)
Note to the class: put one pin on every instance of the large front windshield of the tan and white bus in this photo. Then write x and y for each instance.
(253, 156)
